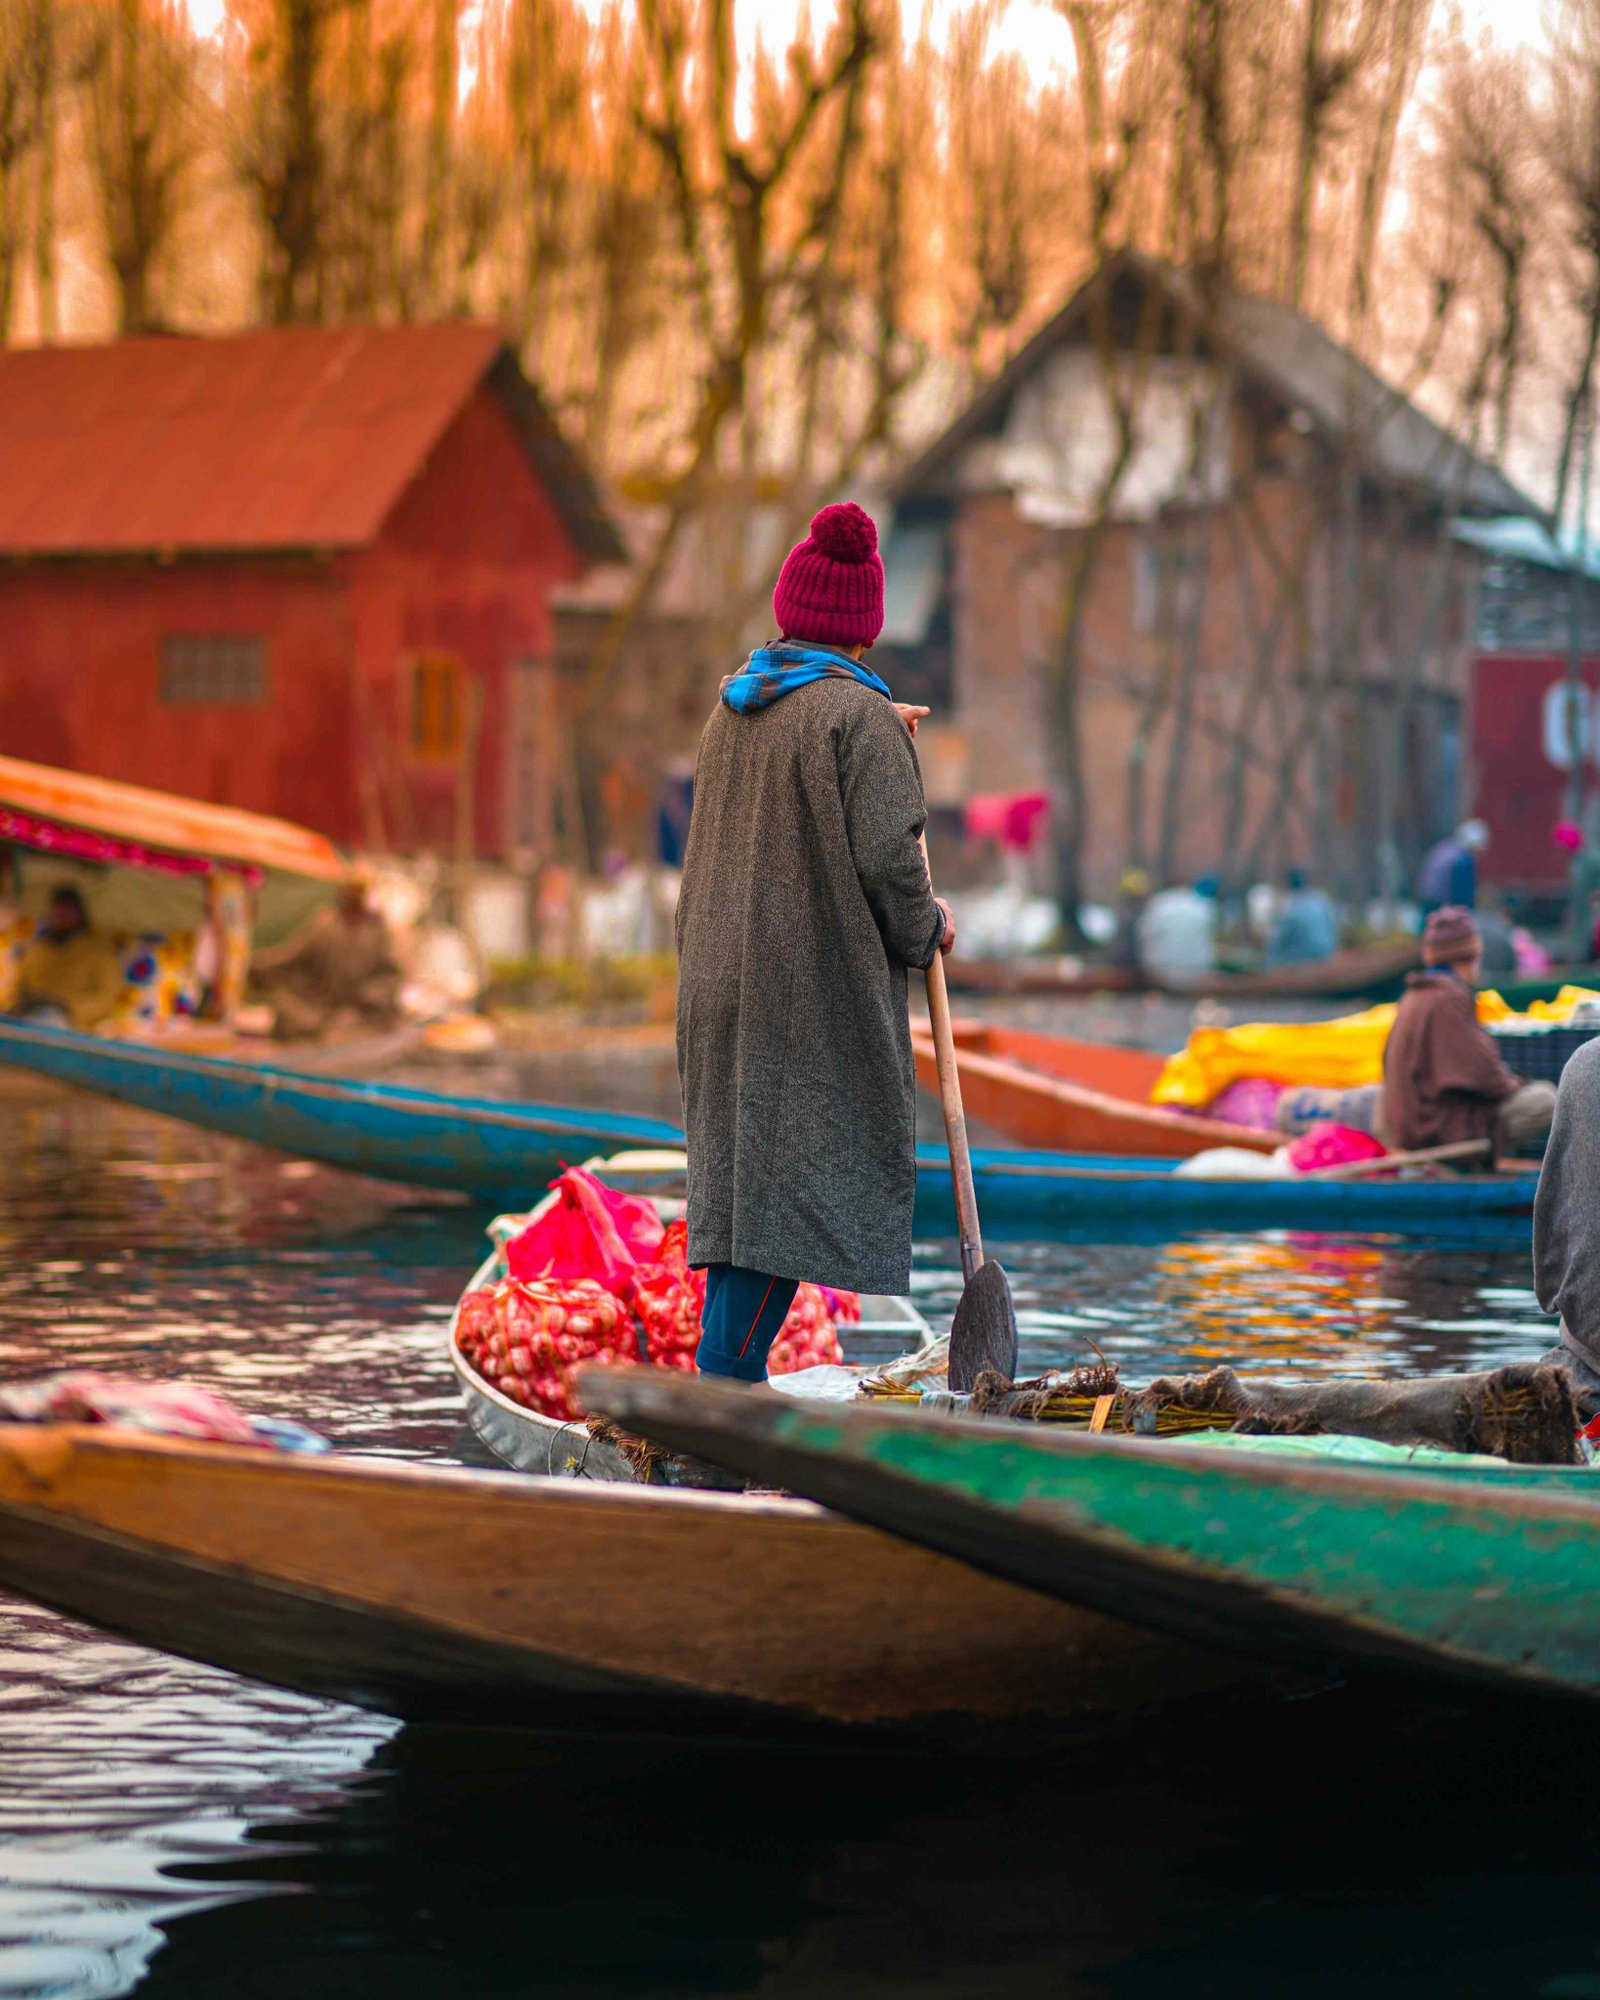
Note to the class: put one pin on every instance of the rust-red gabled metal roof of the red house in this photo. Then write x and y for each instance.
(287, 439)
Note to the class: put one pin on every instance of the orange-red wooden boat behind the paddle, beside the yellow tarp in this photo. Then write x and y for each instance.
(1059, 1095)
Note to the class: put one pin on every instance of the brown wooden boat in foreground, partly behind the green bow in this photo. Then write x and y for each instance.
(491, 1597)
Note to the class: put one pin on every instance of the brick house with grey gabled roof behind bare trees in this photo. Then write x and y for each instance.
(1277, 621)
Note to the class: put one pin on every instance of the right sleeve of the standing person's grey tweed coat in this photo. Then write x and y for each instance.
(885, 813)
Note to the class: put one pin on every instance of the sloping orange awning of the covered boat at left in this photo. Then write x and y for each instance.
(165, 821)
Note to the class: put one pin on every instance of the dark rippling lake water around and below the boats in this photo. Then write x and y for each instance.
(183, 1833)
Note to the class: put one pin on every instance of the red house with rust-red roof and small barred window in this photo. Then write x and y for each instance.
(303, 571)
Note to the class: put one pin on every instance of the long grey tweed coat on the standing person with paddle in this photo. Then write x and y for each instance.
(803, 905)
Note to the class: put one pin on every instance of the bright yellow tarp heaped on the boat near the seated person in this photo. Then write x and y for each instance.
(1335, 1055)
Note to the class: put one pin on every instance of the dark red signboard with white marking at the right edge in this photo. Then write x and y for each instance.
(1519, 761)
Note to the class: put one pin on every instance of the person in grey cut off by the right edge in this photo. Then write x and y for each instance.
(1567, 1241)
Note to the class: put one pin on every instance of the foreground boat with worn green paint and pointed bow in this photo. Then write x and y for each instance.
(1449, 1569)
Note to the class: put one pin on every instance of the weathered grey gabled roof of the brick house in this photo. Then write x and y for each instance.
(1285, 353)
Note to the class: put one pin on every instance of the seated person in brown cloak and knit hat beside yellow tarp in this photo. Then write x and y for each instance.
(1443, 1075)
